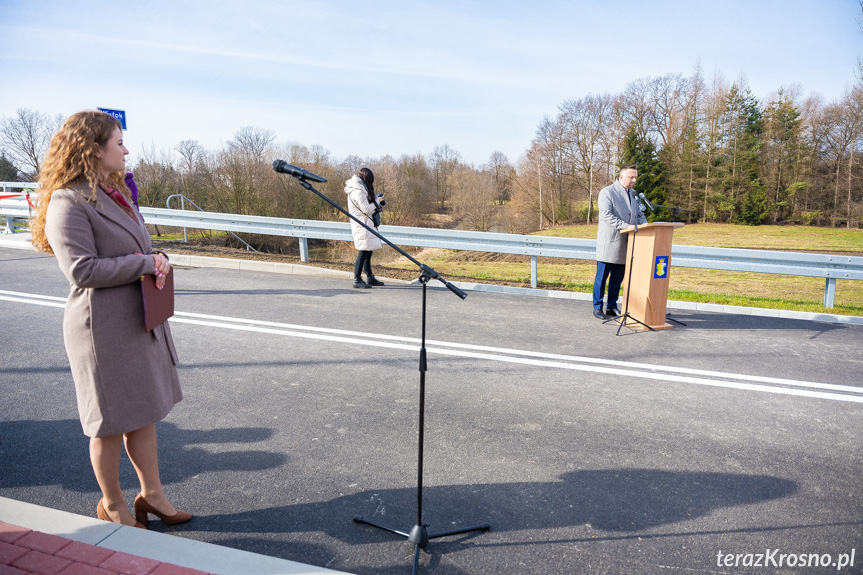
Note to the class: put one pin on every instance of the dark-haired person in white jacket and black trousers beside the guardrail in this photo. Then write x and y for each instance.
(362, 204)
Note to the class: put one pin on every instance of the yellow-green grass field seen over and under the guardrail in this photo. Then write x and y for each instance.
(686, 284)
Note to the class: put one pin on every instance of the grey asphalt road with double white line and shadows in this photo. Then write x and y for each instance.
(681, 451)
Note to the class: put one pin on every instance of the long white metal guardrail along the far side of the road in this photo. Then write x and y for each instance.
(828, 266)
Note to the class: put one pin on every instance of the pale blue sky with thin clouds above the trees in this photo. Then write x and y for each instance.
(401, 77)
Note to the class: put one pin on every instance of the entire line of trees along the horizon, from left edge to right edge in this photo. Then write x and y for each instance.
(704, 145)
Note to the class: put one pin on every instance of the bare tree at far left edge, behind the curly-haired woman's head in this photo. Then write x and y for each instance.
(24, 139)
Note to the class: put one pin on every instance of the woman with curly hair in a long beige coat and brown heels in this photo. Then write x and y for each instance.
(125, 377)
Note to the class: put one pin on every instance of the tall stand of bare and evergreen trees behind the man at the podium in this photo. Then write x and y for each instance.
(710, 147)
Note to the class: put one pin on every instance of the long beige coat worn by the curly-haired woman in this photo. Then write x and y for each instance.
(125, 378)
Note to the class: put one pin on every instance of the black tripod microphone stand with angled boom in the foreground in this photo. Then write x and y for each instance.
(418, 534)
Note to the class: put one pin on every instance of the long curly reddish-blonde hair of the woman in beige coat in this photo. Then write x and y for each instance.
(70, 160)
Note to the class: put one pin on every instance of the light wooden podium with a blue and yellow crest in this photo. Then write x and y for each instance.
(648, 289)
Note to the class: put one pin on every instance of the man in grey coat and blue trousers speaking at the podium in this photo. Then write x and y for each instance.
(618, 210)
